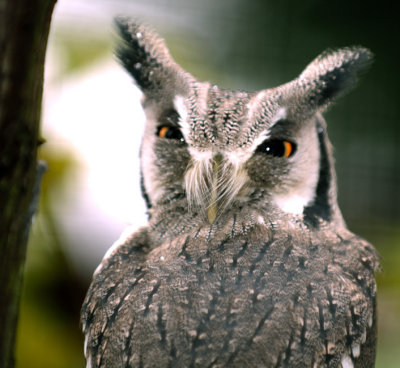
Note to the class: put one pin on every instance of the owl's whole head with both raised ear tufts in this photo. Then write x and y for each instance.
(212, 150)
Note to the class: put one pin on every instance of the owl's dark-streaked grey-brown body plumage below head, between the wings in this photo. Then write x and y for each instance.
(237, 302)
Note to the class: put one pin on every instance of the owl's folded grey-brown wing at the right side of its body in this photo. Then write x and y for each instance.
(342, 305)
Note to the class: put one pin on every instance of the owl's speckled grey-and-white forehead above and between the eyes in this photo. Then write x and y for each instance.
(218, 118)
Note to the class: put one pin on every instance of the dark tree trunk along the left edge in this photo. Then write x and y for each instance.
(24, 28)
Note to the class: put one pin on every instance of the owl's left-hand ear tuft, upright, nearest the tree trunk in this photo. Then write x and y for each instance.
(146, 58)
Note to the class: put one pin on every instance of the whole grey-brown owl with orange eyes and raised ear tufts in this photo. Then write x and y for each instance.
(246, 260)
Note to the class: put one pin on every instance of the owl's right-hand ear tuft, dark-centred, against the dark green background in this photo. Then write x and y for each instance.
(332, 74)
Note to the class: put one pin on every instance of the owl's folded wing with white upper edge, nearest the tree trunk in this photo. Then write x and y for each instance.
(114, 281)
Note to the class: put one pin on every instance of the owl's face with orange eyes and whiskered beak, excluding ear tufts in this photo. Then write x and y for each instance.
(221, 149)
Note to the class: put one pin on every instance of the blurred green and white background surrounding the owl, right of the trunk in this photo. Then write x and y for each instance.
(246, 44)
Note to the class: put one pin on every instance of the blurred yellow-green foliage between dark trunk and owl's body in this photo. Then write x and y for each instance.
(49, 334)
